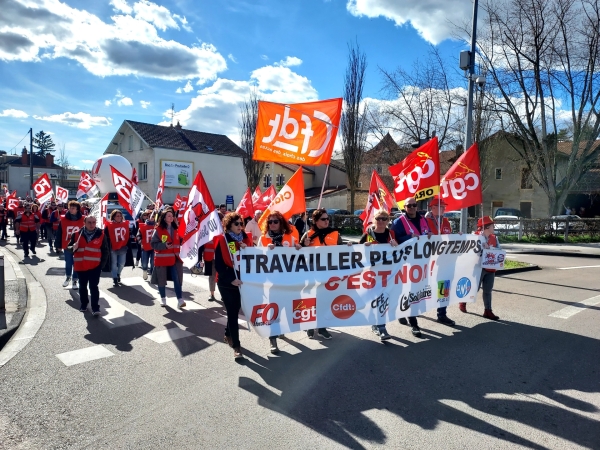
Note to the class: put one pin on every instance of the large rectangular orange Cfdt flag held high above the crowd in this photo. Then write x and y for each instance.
(302, 133)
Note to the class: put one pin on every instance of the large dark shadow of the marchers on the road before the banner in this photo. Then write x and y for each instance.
(493, 369)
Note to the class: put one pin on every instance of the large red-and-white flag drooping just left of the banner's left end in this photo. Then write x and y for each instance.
(200, 222)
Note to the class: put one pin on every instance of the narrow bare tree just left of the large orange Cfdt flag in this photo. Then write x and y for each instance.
(247, 125)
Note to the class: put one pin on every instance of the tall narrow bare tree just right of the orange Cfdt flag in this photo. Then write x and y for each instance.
(353, 124)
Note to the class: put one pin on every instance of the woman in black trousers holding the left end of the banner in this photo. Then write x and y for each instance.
(227, 247)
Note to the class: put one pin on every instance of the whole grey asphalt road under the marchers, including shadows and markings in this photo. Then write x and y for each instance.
(531, 380)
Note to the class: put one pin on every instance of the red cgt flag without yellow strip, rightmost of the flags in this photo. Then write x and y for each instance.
(461, 186)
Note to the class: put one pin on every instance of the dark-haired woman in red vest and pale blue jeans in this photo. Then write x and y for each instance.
(166, 243)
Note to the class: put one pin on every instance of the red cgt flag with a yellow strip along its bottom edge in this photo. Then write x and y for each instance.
(418, 175)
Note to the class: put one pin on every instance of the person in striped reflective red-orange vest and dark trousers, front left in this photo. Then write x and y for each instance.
(89, 247)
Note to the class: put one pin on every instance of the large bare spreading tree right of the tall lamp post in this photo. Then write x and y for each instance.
(543, 57)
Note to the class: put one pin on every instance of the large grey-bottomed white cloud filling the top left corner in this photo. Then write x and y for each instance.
(125, 45)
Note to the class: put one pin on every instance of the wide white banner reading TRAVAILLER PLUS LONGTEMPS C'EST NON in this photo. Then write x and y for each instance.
(286, 290)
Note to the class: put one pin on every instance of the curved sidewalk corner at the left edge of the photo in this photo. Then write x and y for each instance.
(15, 295)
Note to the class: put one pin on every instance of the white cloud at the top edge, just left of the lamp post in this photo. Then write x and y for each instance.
(431, 18)
